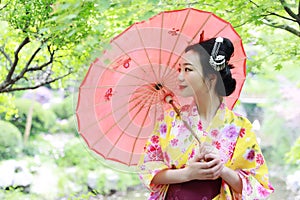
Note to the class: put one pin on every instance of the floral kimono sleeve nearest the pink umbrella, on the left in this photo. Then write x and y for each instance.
(152, 160)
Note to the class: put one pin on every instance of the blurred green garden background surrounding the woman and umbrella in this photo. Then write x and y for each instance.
(46, 47)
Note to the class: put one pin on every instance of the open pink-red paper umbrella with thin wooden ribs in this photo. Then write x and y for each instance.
(124, 91)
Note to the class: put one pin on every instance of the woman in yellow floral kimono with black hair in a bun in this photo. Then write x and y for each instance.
(228, 164)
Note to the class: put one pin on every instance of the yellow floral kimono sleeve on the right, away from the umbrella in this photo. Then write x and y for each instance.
(249, 162)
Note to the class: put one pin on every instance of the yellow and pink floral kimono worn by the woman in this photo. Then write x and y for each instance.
(171, 145)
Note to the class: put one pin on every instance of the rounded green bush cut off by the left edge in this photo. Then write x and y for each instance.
(10, 140)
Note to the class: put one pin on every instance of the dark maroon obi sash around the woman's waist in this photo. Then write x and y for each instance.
(194, 190)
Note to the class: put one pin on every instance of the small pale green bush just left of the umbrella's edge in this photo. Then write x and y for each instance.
(64, 109)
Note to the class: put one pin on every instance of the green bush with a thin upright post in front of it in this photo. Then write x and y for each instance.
(42, 119)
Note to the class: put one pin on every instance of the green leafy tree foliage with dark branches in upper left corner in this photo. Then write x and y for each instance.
(44, 41)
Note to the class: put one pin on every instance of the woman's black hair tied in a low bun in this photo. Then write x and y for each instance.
(226, 84)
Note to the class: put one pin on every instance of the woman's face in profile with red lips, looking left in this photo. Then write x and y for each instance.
(190, 79)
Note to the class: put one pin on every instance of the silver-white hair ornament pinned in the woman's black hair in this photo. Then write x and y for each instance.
(217, 61)
